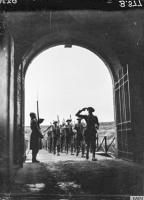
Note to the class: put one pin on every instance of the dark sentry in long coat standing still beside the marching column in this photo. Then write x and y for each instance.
(36, 136)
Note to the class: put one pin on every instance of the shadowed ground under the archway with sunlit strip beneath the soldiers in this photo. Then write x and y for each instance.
(60, 177)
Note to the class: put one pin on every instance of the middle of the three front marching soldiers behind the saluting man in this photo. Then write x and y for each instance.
(69, 136)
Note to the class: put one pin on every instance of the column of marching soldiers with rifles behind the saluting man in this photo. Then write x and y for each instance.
(66, 137)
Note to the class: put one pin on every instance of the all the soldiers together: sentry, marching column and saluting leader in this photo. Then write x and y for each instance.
(67, 137)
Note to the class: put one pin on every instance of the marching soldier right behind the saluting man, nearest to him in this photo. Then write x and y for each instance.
(79, 137)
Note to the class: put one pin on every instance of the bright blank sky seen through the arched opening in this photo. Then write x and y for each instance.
(65, 80)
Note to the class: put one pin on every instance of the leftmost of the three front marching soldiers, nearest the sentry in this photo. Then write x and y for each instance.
(56, 137)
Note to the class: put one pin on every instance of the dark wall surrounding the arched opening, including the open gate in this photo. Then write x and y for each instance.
(116, 37)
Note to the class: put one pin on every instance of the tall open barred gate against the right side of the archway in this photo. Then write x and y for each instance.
(123, 115)
